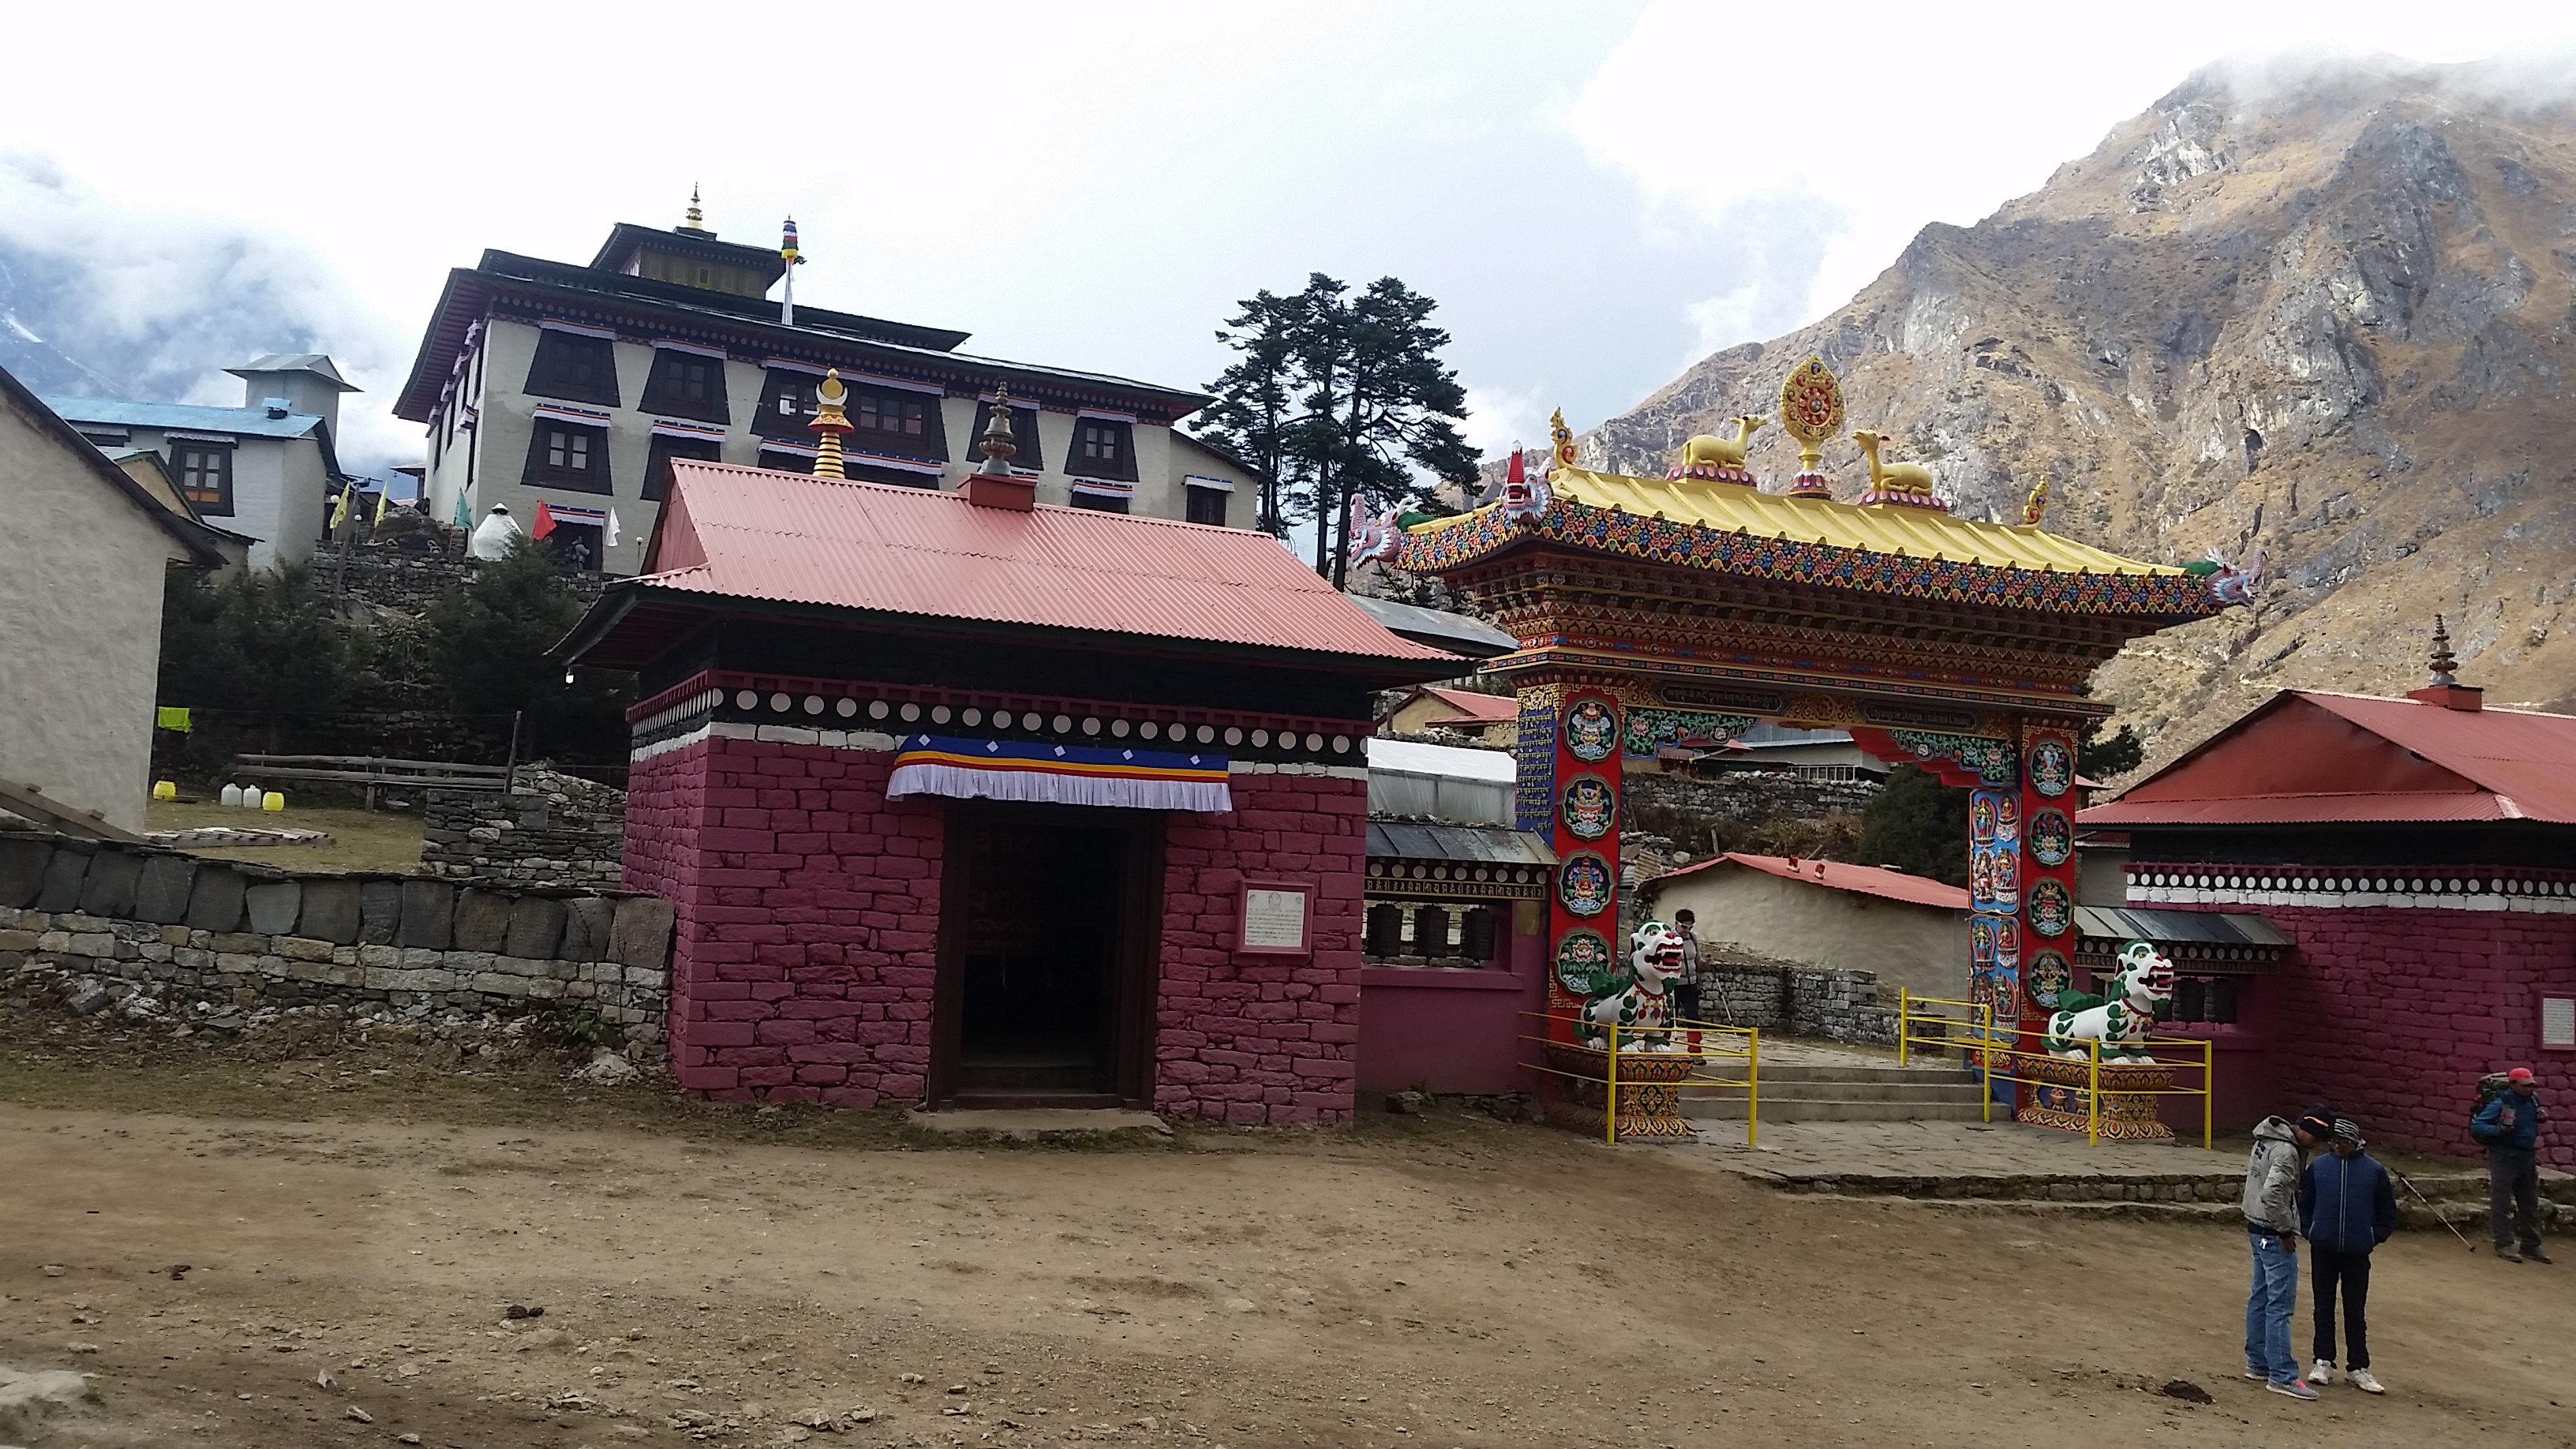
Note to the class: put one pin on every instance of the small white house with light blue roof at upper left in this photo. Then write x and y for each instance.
(264, 471)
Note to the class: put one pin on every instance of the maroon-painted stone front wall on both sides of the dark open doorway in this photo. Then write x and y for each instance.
(808, 935)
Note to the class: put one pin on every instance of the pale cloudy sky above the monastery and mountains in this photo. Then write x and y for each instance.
(1598, 195)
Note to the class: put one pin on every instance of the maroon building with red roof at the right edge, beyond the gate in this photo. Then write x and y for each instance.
(2423, 860)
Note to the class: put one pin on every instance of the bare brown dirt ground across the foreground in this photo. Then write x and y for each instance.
(777, 1278)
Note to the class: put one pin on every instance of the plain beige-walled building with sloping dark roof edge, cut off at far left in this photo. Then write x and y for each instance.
(81, 599)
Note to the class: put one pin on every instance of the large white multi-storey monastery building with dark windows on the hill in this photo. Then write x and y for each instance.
(578, 385)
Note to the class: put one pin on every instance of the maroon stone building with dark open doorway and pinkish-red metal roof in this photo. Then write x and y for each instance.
(983, 803)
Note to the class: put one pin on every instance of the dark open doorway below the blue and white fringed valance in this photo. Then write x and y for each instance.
(1047, 966)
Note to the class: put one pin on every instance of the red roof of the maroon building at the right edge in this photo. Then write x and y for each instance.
(2312, 757)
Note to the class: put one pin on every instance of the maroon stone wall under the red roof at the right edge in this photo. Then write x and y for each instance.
(2392, 1015)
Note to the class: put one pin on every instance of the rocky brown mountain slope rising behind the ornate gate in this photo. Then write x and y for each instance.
(2320, 313)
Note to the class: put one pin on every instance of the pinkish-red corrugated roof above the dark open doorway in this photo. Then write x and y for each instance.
(787, 538)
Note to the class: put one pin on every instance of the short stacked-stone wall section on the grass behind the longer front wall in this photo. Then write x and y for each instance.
(547, 831)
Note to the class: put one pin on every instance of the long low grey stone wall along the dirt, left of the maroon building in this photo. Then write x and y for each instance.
(102, 924)
